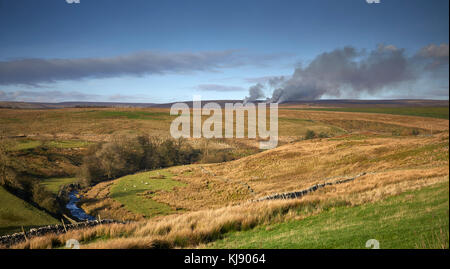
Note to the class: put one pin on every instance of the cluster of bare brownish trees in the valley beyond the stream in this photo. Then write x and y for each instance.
(126, 155)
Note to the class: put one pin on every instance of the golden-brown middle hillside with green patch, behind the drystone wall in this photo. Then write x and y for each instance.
(291, 167)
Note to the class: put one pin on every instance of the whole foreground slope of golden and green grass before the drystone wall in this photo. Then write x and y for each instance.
(387, 213)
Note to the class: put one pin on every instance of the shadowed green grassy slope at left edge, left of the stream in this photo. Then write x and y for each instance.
(15, 213)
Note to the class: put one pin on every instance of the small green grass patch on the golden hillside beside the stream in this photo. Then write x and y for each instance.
(135, 192)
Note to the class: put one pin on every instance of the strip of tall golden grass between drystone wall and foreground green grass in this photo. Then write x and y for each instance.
(197, 228)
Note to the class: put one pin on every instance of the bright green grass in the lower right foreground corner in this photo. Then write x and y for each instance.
(417, 219)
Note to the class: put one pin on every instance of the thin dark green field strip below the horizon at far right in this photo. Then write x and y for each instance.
(433, 112)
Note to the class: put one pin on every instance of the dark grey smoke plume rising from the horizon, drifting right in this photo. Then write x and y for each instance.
(349, 71)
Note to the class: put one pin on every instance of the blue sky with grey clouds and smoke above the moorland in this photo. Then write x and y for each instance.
(166, 51)
